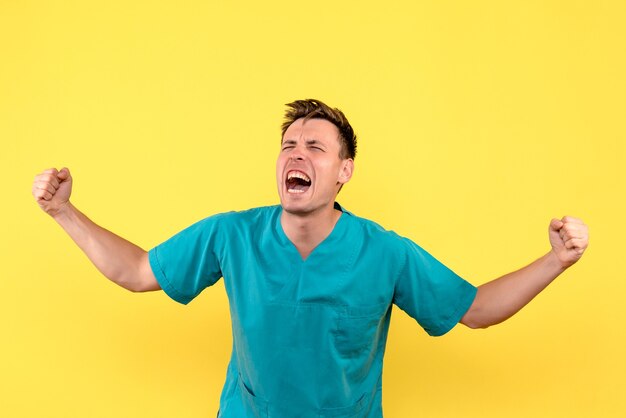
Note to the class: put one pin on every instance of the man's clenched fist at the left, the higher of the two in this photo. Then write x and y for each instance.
(52, 189)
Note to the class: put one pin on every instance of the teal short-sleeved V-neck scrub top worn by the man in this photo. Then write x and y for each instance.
(308, 336)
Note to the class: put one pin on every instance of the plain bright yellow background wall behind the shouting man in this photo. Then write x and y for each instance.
(478, 122)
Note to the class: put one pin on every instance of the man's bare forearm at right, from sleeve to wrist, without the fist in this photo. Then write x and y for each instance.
(501, 298)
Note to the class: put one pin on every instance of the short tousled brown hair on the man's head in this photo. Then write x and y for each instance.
(315, 109)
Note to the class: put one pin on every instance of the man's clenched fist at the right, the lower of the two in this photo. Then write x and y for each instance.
(569, 238)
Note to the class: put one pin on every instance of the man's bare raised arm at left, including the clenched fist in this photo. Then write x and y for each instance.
(118, 259)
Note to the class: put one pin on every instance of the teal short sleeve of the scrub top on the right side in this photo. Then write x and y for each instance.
(432, 294)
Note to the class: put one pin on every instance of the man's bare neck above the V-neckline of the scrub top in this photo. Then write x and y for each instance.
(307, 231)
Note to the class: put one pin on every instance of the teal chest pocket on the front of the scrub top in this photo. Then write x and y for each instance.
(359, 329)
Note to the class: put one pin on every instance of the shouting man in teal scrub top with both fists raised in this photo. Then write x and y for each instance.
(310, 285)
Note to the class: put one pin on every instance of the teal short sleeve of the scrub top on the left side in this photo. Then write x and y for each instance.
(187, 263)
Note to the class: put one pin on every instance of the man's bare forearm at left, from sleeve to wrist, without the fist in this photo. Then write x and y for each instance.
(116, 258)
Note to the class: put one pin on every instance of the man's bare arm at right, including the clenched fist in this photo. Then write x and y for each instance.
(501, 298)
